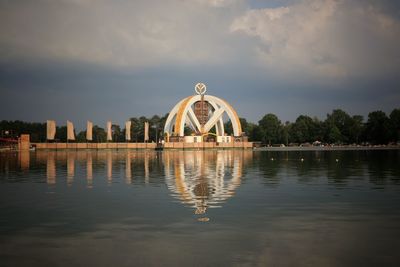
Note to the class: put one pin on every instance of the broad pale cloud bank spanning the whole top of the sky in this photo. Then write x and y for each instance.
(324, 38)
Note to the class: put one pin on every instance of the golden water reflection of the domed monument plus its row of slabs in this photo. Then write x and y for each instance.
(201, 180)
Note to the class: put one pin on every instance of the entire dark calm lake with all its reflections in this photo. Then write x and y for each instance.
(195, 208)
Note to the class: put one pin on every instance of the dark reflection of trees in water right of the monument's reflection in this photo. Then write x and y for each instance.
(309, 166)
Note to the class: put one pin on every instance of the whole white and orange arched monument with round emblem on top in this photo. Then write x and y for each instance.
(201, 113)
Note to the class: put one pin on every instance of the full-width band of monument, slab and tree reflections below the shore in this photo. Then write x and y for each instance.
(200, 174)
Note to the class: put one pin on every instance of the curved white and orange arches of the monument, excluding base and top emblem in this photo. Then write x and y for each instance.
(183, 114)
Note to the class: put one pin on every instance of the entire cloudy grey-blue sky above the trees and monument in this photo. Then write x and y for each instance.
(112, 60)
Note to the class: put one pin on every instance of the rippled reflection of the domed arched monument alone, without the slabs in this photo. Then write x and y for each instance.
(204, 180)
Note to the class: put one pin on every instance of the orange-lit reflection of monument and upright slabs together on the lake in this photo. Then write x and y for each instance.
(199, 179)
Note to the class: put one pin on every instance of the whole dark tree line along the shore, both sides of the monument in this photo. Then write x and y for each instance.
(338, 128)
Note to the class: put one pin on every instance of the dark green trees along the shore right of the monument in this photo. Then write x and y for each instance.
(338, 128)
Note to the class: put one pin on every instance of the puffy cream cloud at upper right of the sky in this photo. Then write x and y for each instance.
(323, 37)
